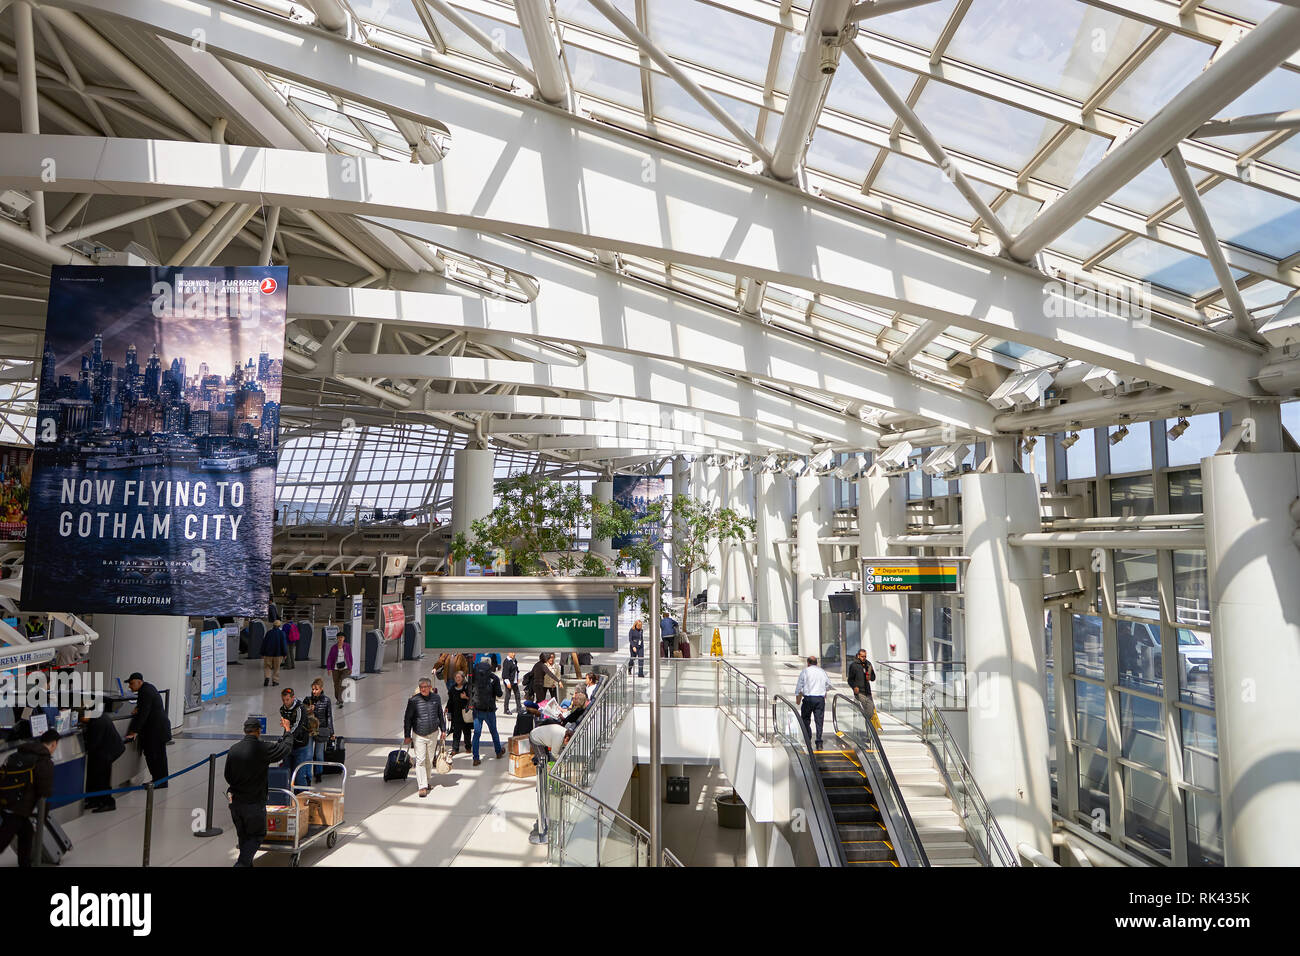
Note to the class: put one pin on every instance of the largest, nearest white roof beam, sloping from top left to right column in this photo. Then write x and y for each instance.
(752, 226)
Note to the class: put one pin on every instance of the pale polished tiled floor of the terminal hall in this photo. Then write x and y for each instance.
(474, 816)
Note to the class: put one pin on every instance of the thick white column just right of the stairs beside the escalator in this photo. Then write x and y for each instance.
(1007, 690)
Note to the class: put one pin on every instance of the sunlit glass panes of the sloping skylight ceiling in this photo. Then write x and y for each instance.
(999, 98)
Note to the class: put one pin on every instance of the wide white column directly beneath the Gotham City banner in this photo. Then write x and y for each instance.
(154, 646)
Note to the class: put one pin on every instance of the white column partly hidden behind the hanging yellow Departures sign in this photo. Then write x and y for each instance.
(882, 513)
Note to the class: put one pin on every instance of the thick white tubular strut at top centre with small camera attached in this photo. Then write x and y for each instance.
(821, 40)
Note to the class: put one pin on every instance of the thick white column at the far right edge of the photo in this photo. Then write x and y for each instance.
(1255, 615)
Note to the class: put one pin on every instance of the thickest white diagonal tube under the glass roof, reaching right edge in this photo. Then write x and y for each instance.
(1236, 72)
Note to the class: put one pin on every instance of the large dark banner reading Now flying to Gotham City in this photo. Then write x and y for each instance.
(158, 430)
